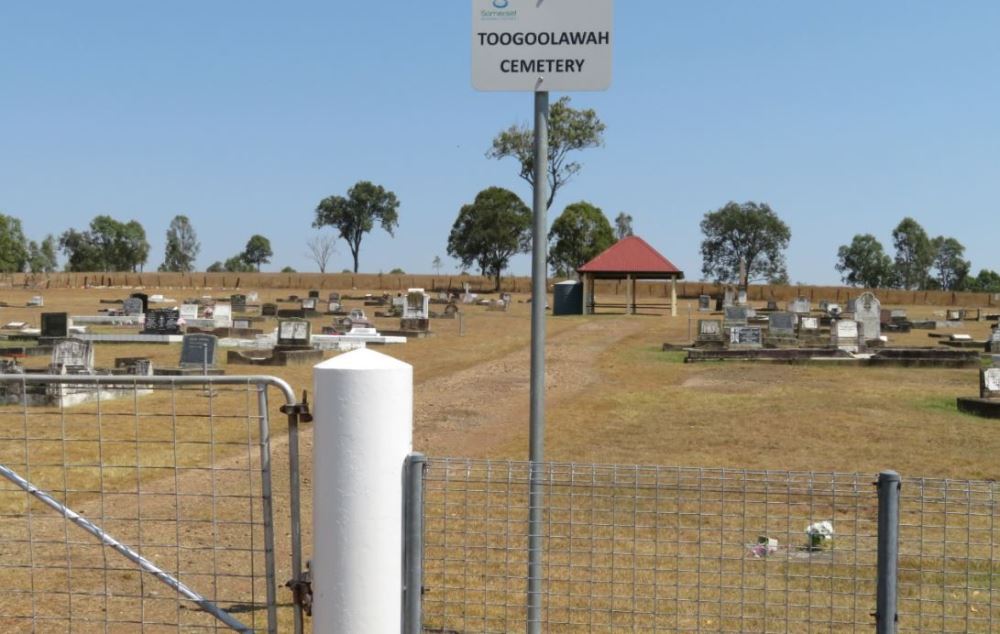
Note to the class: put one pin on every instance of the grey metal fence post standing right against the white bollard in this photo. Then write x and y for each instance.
(413, 544)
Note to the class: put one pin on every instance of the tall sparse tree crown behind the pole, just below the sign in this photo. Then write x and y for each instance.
(569, 130)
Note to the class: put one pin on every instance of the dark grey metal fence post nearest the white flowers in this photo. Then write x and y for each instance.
(886, 616)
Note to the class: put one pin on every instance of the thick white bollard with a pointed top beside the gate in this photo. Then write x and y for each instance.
(363, 434)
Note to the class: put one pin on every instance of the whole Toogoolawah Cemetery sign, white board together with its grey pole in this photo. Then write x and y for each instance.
(538, 46)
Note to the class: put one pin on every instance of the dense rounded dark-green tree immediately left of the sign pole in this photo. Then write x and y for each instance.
(488, 232)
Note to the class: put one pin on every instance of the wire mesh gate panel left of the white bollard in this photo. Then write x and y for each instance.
(173, 470)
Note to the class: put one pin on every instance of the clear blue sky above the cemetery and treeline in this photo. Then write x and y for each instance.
(844, 117)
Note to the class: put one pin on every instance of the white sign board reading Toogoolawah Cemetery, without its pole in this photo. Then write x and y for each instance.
(539, 45)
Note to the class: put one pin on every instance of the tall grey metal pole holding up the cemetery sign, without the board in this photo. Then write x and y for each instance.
(538, 301)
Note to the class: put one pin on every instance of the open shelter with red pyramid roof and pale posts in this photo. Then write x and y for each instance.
(629, 259)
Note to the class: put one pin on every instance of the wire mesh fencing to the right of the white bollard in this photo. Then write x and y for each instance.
(700, 550)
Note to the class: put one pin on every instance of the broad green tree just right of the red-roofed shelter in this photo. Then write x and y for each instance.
(743, 242)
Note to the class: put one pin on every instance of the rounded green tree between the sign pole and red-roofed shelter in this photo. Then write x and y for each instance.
(579, 234)
